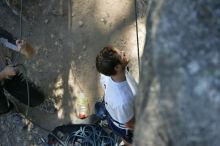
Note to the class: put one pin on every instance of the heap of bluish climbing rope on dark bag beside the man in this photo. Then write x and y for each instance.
(87, 135)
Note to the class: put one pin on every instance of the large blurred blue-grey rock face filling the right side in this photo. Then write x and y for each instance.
(179, 95)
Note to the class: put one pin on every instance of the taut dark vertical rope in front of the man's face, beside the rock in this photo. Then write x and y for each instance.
(138, 49)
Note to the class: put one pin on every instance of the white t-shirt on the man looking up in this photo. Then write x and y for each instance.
(119, 97)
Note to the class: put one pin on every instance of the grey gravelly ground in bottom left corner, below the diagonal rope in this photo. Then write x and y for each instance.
(16, 130)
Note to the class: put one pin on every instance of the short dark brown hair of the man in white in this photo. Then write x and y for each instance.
(106, 60)
